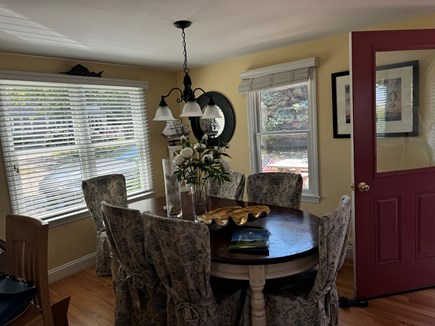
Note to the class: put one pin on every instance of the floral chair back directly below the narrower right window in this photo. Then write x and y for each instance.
(275, 188)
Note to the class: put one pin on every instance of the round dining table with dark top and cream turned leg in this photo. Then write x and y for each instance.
(293, 245)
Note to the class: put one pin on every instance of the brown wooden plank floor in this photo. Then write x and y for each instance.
(92, 302)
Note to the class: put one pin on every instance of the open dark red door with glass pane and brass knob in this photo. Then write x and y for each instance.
(393, 91)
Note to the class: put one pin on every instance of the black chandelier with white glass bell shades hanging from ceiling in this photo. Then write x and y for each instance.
(191, 107)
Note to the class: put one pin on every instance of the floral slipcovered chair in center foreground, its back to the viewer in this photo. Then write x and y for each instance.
(180, 250)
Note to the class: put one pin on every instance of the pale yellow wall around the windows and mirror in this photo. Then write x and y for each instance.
(74, 240)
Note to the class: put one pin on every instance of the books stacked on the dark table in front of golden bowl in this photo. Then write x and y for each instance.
(250, 241)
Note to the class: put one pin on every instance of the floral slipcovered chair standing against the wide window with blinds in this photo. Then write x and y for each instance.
(111, 188)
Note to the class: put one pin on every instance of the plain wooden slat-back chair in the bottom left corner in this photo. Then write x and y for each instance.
(26, 243)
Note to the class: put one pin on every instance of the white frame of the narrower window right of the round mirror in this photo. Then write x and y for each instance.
(311, 195)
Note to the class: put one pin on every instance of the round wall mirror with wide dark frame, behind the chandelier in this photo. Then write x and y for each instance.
(219, 130)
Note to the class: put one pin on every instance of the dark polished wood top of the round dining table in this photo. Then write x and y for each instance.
(293, 233)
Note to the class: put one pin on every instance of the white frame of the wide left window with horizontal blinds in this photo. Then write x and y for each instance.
(80, 212)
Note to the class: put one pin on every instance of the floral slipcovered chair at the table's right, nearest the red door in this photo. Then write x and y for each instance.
(306, 300)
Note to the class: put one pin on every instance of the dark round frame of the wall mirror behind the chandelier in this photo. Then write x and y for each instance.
(230, 120)
